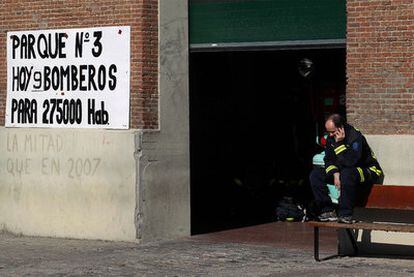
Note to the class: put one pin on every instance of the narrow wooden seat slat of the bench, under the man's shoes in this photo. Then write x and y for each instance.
(391, 227)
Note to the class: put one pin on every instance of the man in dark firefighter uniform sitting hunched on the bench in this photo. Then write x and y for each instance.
(349, 164)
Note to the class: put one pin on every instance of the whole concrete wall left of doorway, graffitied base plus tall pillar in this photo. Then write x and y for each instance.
(99, 184)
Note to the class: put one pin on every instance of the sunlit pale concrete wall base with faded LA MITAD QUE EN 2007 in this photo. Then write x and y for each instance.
(68, 183)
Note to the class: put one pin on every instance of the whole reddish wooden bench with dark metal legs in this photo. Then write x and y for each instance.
(400, 198)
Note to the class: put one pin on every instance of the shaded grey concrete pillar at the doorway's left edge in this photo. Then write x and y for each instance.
(164, 165)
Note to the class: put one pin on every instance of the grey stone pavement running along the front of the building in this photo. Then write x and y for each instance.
(240, 252)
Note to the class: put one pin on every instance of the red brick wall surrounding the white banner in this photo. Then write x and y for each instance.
(141, 15)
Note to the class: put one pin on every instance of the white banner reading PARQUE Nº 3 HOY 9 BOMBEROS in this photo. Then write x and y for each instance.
(71, 78)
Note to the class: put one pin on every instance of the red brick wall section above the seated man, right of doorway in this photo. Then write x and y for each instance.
(380, 65)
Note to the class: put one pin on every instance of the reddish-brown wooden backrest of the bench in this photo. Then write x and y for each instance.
(391, 197)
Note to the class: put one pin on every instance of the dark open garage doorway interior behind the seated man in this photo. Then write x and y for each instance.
(254, 118)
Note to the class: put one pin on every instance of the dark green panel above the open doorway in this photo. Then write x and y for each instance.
(225, 21)
